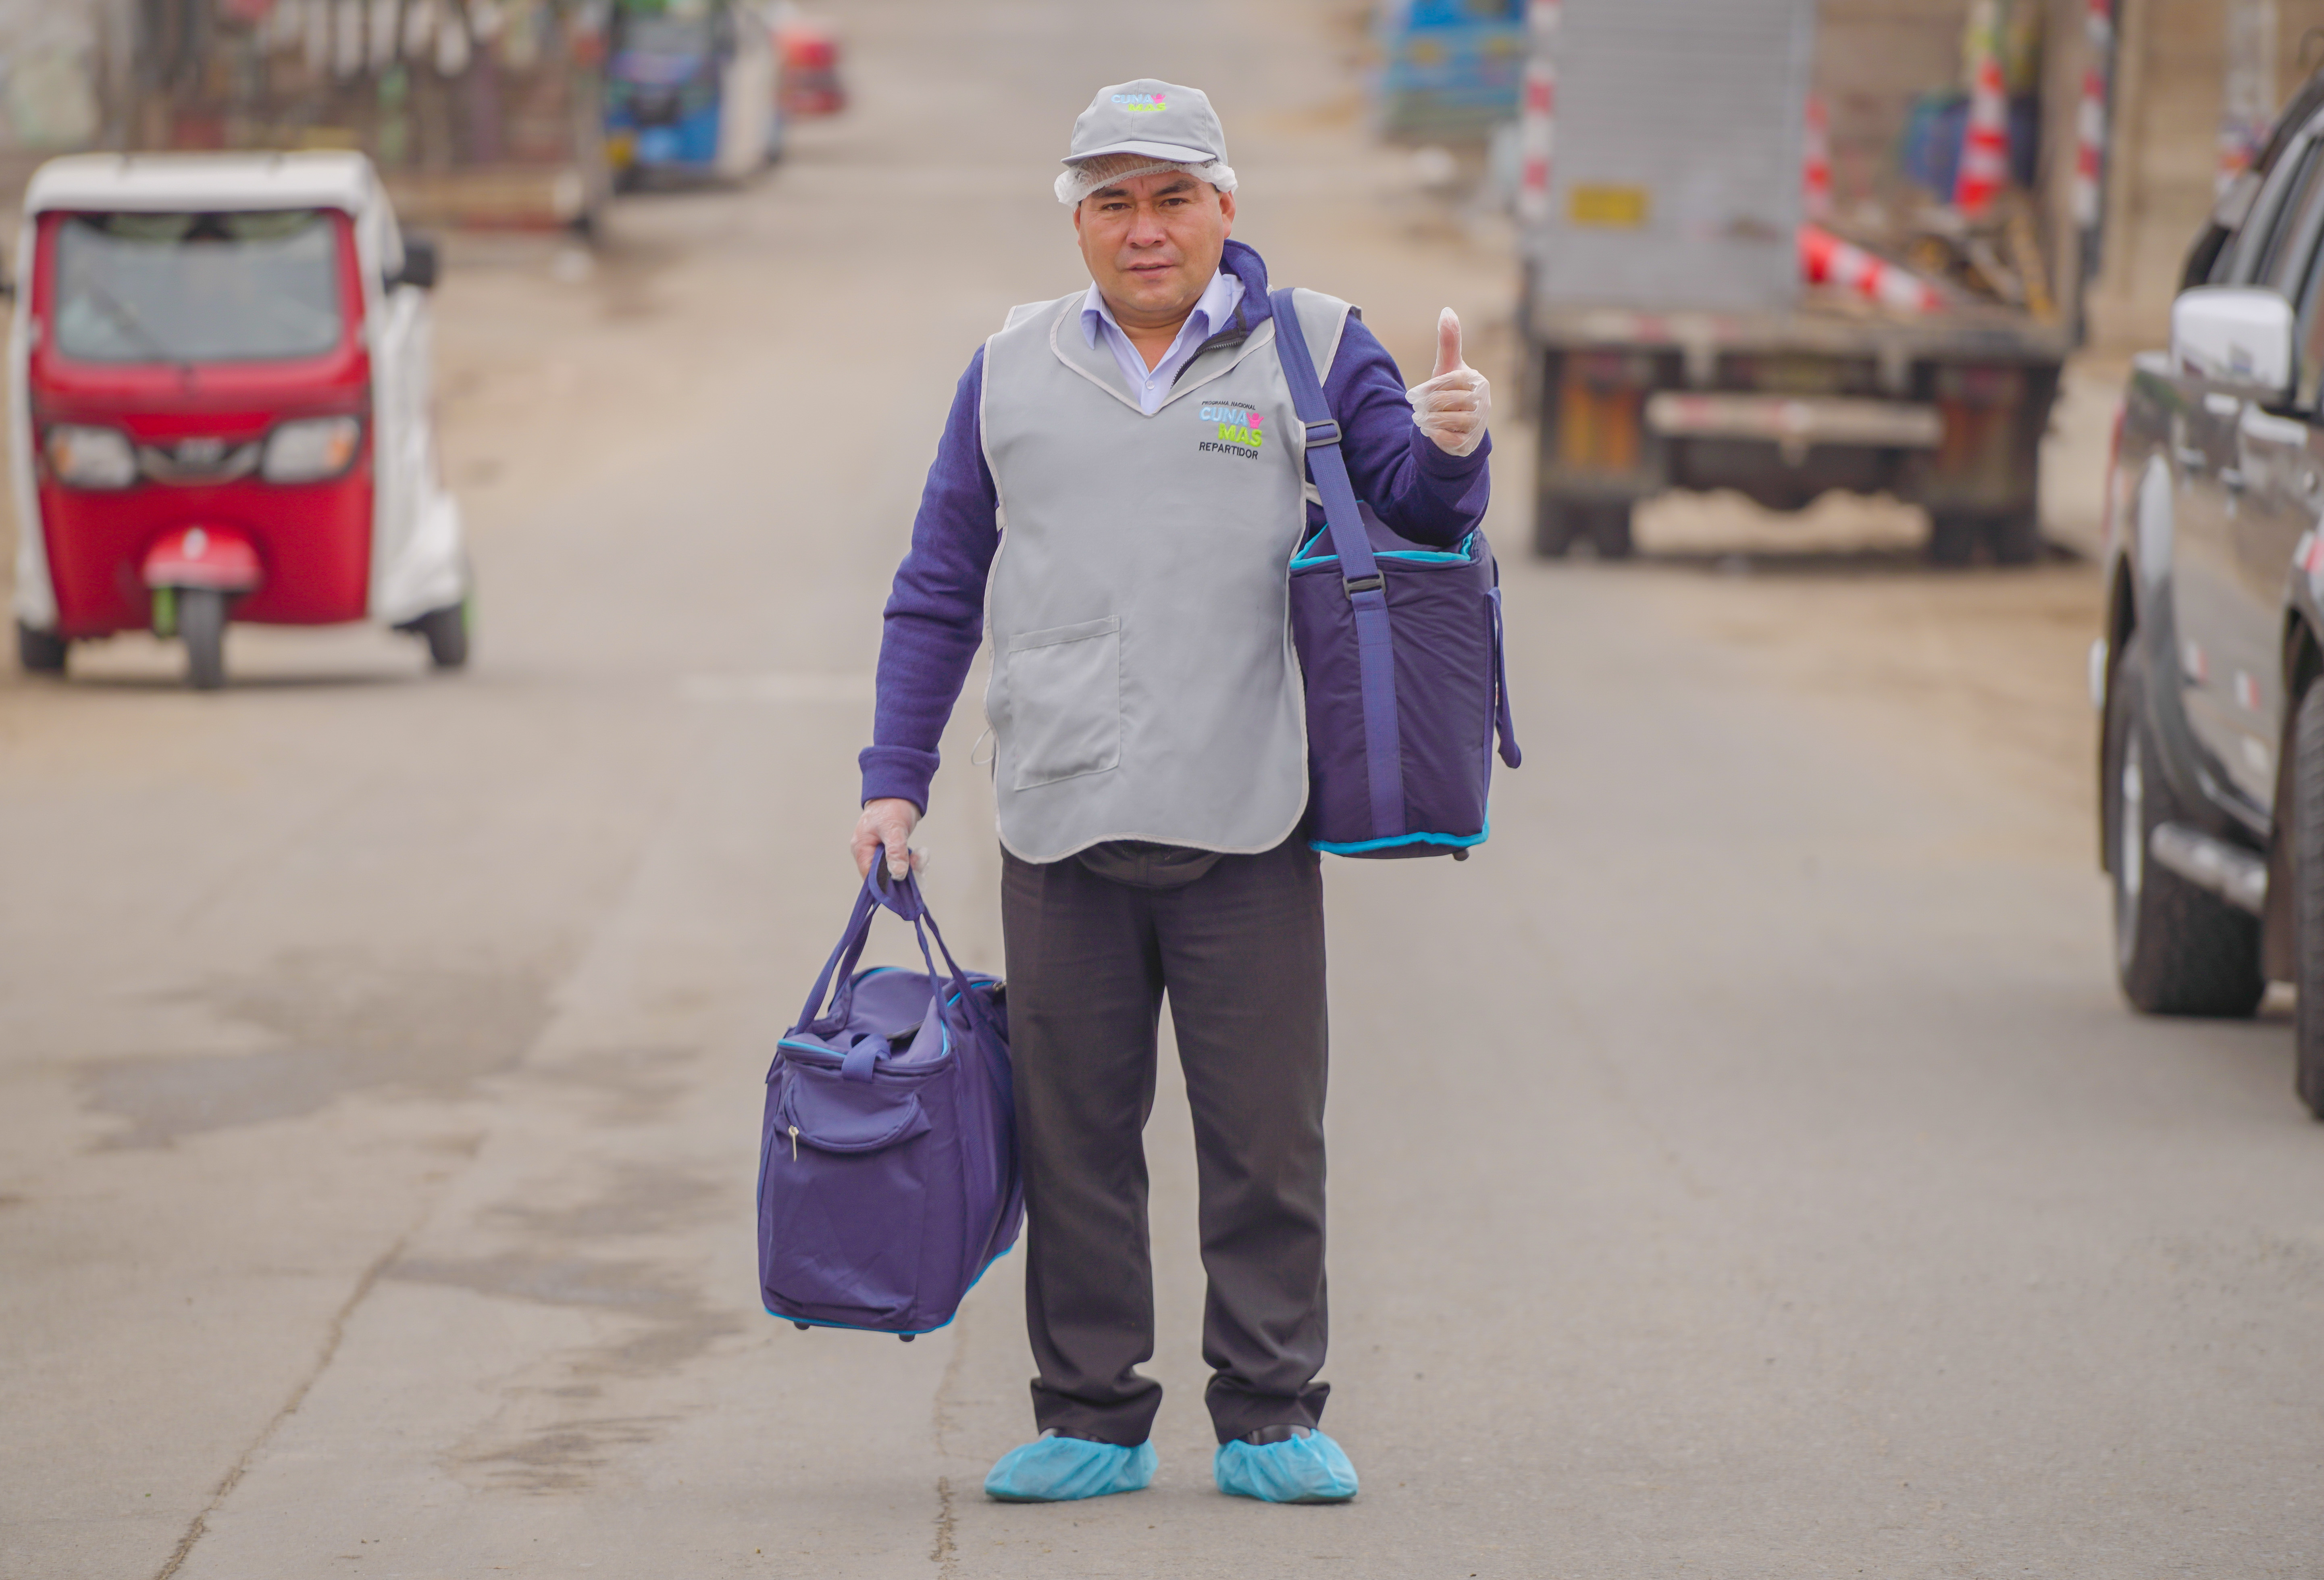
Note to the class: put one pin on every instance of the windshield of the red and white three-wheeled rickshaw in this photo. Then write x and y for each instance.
(196, 287)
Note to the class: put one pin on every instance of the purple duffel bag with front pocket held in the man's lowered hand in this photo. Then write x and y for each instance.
(887, 1175)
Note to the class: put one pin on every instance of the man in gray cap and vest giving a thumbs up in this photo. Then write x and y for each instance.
(1119, 496)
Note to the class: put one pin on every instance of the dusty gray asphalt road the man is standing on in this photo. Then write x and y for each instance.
(1744, 1168)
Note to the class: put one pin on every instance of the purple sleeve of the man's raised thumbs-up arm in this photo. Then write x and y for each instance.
(1398, 471)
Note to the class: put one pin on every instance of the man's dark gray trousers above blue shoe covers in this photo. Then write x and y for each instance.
(1240, 954)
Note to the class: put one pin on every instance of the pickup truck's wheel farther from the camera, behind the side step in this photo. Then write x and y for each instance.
(2179, 949)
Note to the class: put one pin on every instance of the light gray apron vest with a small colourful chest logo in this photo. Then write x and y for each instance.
(1145, 682)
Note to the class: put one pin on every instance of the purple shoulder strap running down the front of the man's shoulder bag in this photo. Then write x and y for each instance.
(1361, 575)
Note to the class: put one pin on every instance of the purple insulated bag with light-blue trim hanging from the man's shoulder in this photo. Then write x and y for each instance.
(1400, 649)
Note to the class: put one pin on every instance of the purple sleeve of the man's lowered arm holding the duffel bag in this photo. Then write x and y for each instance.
(938, 608)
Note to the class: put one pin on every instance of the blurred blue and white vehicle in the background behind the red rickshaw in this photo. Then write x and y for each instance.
(691, 92)
